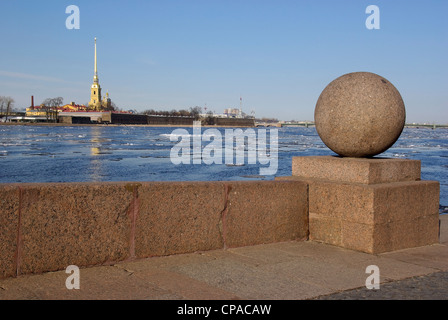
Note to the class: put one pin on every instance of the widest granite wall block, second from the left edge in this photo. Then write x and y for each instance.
(73, 224)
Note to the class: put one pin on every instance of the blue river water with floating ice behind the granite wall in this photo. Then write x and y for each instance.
(137, 153)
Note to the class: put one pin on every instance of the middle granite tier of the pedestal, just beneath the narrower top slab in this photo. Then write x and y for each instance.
(374, 204)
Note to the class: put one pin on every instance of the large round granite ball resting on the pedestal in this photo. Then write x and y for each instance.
(359, 114)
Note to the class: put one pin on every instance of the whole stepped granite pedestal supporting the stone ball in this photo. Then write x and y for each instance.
(373, 205)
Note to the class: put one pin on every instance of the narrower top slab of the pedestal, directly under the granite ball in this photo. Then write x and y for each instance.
(358, 170)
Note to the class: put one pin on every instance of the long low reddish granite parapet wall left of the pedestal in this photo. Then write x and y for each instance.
(47, 227)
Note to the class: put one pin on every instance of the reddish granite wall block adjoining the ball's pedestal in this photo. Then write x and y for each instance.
(265, 212)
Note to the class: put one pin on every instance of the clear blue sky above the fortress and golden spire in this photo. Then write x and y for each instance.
(277, 55)
